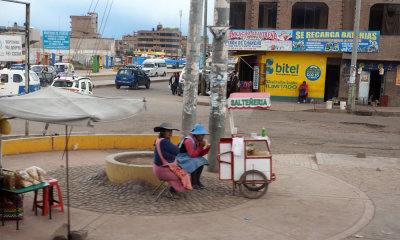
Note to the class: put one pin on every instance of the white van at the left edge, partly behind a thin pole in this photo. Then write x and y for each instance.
(12, 82)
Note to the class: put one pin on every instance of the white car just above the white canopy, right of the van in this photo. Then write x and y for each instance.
(81, 85)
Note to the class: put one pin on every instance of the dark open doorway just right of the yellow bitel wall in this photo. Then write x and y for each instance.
(332, 82)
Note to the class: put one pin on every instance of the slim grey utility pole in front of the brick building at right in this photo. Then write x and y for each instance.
(353, 67)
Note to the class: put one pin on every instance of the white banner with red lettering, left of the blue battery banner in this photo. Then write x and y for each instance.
(260, 40)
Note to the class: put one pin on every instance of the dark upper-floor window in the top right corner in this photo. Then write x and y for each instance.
(385, 18)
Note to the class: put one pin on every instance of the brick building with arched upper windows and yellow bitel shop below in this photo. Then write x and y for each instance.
(378, 65)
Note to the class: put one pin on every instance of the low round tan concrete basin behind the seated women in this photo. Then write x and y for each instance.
(122, 167)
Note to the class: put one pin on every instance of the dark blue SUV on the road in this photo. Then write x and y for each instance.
(131, 77)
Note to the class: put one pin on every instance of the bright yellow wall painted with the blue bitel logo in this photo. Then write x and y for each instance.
(285, 73)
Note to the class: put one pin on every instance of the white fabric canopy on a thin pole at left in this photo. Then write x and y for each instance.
(59, 106)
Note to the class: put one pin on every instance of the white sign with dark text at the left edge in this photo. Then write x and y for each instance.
(10, 48)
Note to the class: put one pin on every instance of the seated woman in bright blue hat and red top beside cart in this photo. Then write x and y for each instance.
(192, 149)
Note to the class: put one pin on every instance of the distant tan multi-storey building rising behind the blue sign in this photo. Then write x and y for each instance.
(84, 26)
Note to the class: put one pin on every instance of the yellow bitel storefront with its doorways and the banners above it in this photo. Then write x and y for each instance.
(278, 61)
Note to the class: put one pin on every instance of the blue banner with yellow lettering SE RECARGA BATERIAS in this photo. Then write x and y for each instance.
(334, 41)
